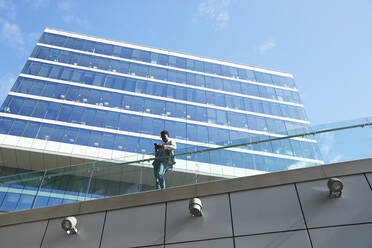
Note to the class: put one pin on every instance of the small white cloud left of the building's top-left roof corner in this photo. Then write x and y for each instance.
(11, 34)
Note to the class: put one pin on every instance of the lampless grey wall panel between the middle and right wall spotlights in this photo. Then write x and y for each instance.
(266, 210)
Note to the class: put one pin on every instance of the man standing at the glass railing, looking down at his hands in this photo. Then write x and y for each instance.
(164, 158)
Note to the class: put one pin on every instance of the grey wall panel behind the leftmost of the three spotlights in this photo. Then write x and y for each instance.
(89, 232)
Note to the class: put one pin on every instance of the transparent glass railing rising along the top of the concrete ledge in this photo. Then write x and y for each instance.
(334, 142)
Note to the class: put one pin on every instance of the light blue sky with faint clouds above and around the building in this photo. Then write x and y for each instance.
(326, 45)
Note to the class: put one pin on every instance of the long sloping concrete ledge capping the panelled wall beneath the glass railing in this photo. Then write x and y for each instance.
(185, 192)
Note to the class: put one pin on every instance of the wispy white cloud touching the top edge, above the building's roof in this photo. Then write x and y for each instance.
(215, 11)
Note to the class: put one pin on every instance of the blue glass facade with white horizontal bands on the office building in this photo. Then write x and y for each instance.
(92, 92)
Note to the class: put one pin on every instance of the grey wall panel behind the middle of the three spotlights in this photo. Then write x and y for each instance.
(215, 223)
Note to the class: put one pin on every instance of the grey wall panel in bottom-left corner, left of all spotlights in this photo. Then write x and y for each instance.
(23, 235)
